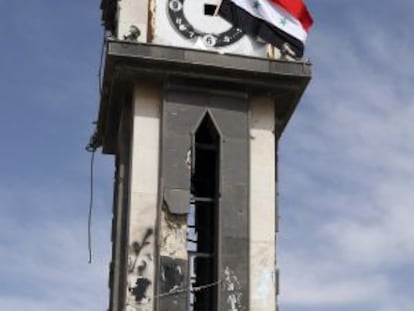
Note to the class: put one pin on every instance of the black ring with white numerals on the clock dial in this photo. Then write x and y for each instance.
(184, 27)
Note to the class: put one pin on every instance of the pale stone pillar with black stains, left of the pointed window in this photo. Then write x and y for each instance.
(143, 198)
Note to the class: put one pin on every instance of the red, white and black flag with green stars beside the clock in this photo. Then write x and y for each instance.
(275, 21)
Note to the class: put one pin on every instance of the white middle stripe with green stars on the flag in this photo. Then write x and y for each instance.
(275, 15)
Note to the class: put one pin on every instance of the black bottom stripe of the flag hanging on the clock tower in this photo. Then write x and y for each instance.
(257, 27)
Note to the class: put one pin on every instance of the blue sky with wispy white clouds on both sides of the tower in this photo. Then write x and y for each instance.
(346, 161)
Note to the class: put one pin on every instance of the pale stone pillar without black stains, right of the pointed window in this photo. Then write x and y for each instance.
(262, 205)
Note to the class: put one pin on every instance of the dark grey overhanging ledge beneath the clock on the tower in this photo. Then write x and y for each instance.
(128, 63)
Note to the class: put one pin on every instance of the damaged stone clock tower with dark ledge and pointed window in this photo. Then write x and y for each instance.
(193, 110)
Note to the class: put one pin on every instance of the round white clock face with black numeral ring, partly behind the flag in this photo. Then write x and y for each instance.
(195, 19)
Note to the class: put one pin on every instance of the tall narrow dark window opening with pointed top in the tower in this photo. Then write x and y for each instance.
(202, 219)
